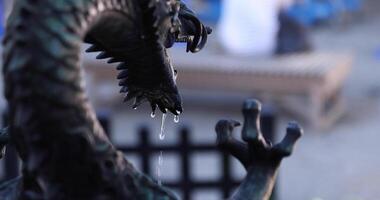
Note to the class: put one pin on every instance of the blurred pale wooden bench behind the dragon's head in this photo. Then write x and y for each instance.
(316, 77)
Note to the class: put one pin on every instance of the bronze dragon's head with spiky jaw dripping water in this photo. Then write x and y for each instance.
(146, 73)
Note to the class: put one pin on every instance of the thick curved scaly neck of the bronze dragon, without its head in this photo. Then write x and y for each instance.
(52, 122)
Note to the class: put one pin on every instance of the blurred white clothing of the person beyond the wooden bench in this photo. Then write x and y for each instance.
(250, 27)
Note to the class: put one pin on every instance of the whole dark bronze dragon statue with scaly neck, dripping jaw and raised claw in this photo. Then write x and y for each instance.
(66, 154)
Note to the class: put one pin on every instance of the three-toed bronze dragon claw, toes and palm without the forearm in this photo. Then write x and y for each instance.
(253, 139)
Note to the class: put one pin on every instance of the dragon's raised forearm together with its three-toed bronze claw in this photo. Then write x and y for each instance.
(260, 157)
